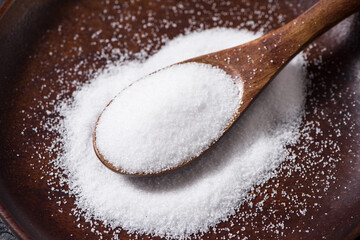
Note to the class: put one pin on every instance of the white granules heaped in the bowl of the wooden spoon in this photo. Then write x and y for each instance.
(167, 118)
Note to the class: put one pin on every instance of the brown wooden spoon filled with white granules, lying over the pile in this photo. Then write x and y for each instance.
(256, 63)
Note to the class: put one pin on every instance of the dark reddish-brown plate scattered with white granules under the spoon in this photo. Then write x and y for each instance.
(315, 197)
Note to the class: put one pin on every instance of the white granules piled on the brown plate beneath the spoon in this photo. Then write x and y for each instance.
(203, 193)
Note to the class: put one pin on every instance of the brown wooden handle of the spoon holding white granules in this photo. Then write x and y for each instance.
(277, 48)
